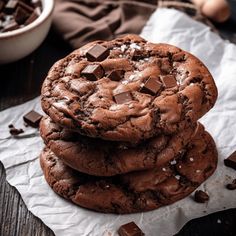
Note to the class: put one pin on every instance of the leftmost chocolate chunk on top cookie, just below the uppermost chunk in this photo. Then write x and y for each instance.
(93, 72)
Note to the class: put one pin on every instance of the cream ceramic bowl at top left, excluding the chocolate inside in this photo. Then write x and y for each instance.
(19, 43)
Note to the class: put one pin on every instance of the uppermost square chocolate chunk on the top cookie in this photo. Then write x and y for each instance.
(97, 53)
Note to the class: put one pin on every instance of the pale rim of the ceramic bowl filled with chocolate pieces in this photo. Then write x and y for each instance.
(48, 6)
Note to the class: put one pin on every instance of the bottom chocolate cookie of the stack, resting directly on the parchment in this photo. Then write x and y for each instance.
(137, 191)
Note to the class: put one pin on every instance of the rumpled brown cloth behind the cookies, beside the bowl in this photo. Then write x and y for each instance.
(82, 21)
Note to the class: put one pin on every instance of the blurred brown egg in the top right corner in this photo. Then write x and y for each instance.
(217, 10)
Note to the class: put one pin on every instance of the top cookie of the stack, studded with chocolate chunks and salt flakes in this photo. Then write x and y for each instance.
(128, 89)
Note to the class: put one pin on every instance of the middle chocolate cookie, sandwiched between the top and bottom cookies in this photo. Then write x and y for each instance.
(106, 158)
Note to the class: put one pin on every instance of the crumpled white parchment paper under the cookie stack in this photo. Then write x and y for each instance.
(20, 155)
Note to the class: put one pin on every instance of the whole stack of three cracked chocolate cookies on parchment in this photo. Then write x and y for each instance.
(122, 132)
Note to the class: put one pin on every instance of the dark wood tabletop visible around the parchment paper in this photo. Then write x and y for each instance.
(21, 81)
